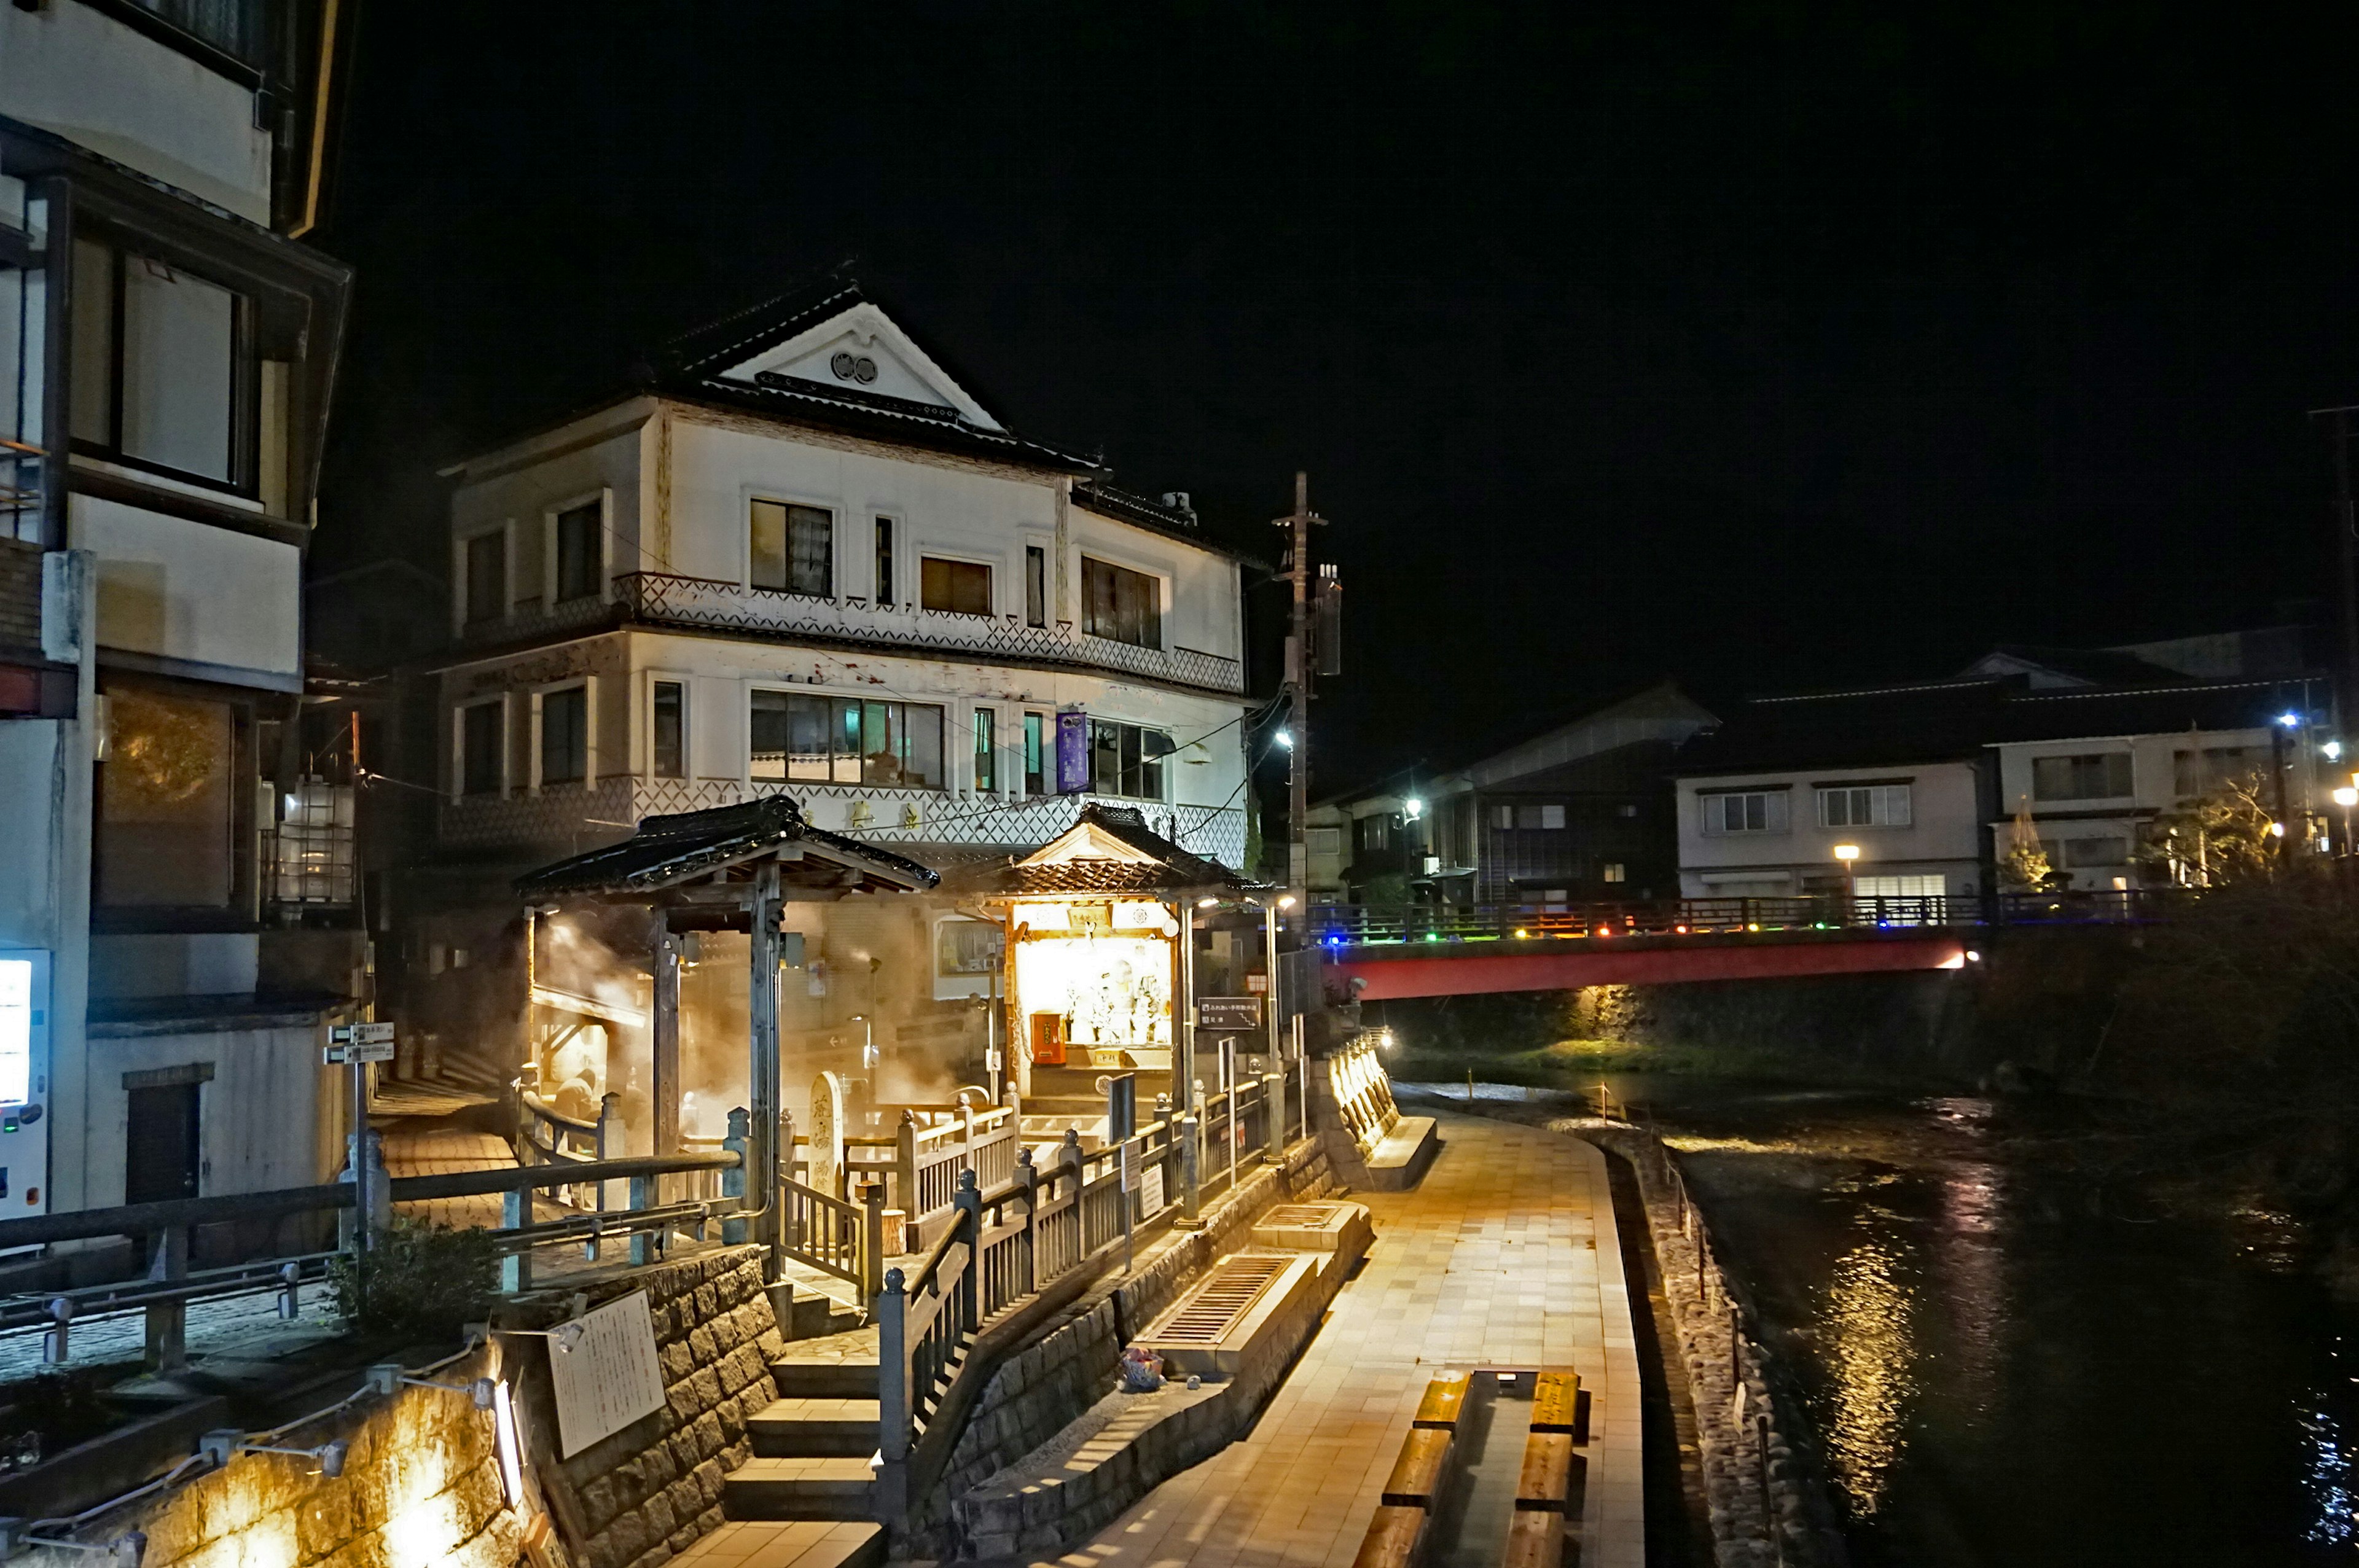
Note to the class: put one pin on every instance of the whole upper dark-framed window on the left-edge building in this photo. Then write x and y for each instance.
(159, 369)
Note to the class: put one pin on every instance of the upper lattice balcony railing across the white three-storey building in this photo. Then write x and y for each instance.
(709, 605)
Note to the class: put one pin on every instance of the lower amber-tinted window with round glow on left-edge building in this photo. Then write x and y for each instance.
(166, 803)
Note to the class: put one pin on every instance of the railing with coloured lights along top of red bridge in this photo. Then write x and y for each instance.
(1365, 925)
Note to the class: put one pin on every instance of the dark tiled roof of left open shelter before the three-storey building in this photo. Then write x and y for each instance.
(669, 852)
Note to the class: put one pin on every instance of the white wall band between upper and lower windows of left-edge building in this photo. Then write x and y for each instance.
(195, 593)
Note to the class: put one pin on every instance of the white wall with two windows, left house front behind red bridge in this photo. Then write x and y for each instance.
(1945, 834)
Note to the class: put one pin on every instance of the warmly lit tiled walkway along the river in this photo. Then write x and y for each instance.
(1504, 1256)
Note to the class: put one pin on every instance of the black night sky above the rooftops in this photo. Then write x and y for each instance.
(1617, 341)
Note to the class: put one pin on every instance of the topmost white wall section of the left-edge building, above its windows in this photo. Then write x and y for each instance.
(77, 72)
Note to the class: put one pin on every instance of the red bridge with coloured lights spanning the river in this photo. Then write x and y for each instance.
(1466, 951)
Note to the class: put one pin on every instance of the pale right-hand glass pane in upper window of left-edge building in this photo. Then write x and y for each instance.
(178, 369)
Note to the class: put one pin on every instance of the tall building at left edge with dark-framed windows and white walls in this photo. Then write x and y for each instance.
(166, 357)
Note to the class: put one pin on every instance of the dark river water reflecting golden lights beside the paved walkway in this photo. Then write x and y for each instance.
(2002, 1378)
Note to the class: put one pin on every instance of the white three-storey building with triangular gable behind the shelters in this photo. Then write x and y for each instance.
(803, 560)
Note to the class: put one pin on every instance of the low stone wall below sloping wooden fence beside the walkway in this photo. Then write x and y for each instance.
(1053, 1383)
